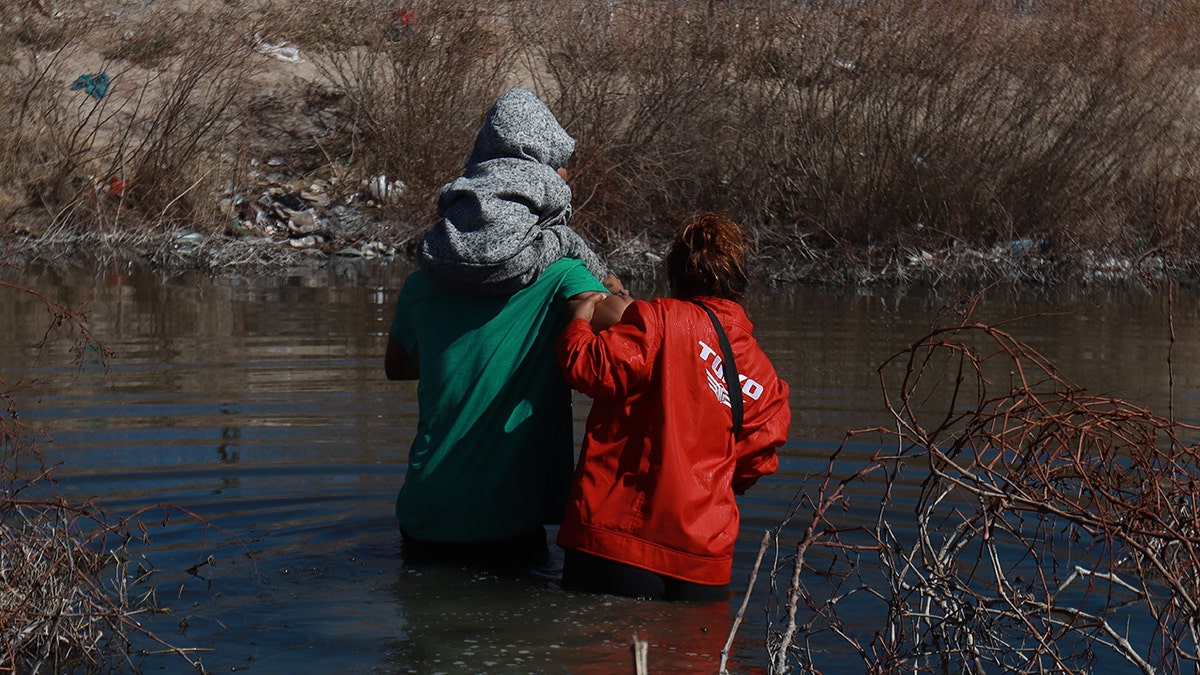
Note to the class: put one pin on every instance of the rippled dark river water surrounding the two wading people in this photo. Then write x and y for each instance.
(259, 411)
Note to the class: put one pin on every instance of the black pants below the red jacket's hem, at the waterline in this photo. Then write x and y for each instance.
(593, 575)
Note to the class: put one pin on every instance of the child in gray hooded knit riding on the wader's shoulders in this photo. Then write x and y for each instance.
(505, 222)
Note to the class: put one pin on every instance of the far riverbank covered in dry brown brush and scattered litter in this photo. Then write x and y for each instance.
(859, 145)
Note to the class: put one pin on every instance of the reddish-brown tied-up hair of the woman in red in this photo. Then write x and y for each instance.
(709, 259)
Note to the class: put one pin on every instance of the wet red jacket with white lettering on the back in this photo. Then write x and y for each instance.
(656, 481)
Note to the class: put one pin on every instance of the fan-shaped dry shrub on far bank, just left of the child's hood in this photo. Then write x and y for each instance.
(418, 93)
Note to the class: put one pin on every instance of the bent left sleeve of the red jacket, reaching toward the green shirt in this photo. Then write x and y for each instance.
(615, 362)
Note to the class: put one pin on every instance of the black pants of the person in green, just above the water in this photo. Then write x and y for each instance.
(525, 551)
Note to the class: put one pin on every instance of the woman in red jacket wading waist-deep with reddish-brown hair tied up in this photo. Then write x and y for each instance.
(652, 512)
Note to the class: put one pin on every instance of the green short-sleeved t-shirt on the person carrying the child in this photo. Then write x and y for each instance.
(495, 449)
